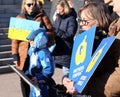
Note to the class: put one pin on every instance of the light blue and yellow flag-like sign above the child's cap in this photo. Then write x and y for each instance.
(20, 28)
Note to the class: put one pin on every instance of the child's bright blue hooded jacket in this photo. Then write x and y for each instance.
(41, 61)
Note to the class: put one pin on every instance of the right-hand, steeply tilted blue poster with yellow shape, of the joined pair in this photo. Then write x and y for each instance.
(93, 63)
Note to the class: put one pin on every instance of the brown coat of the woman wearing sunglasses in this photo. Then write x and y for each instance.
(20, 48)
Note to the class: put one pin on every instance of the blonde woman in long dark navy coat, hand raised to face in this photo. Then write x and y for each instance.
(66, 27)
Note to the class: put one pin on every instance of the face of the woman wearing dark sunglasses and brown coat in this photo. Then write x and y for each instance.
(29, 6)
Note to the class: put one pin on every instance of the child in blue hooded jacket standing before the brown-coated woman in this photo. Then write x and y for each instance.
(41, 66)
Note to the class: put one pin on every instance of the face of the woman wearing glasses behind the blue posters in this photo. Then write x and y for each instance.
(85, 21)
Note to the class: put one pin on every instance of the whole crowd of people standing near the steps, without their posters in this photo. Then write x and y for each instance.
(60, 34)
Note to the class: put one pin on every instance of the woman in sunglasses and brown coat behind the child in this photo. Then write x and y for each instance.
(29, 11)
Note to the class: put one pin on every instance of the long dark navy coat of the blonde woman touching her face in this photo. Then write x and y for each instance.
(66, 27)
